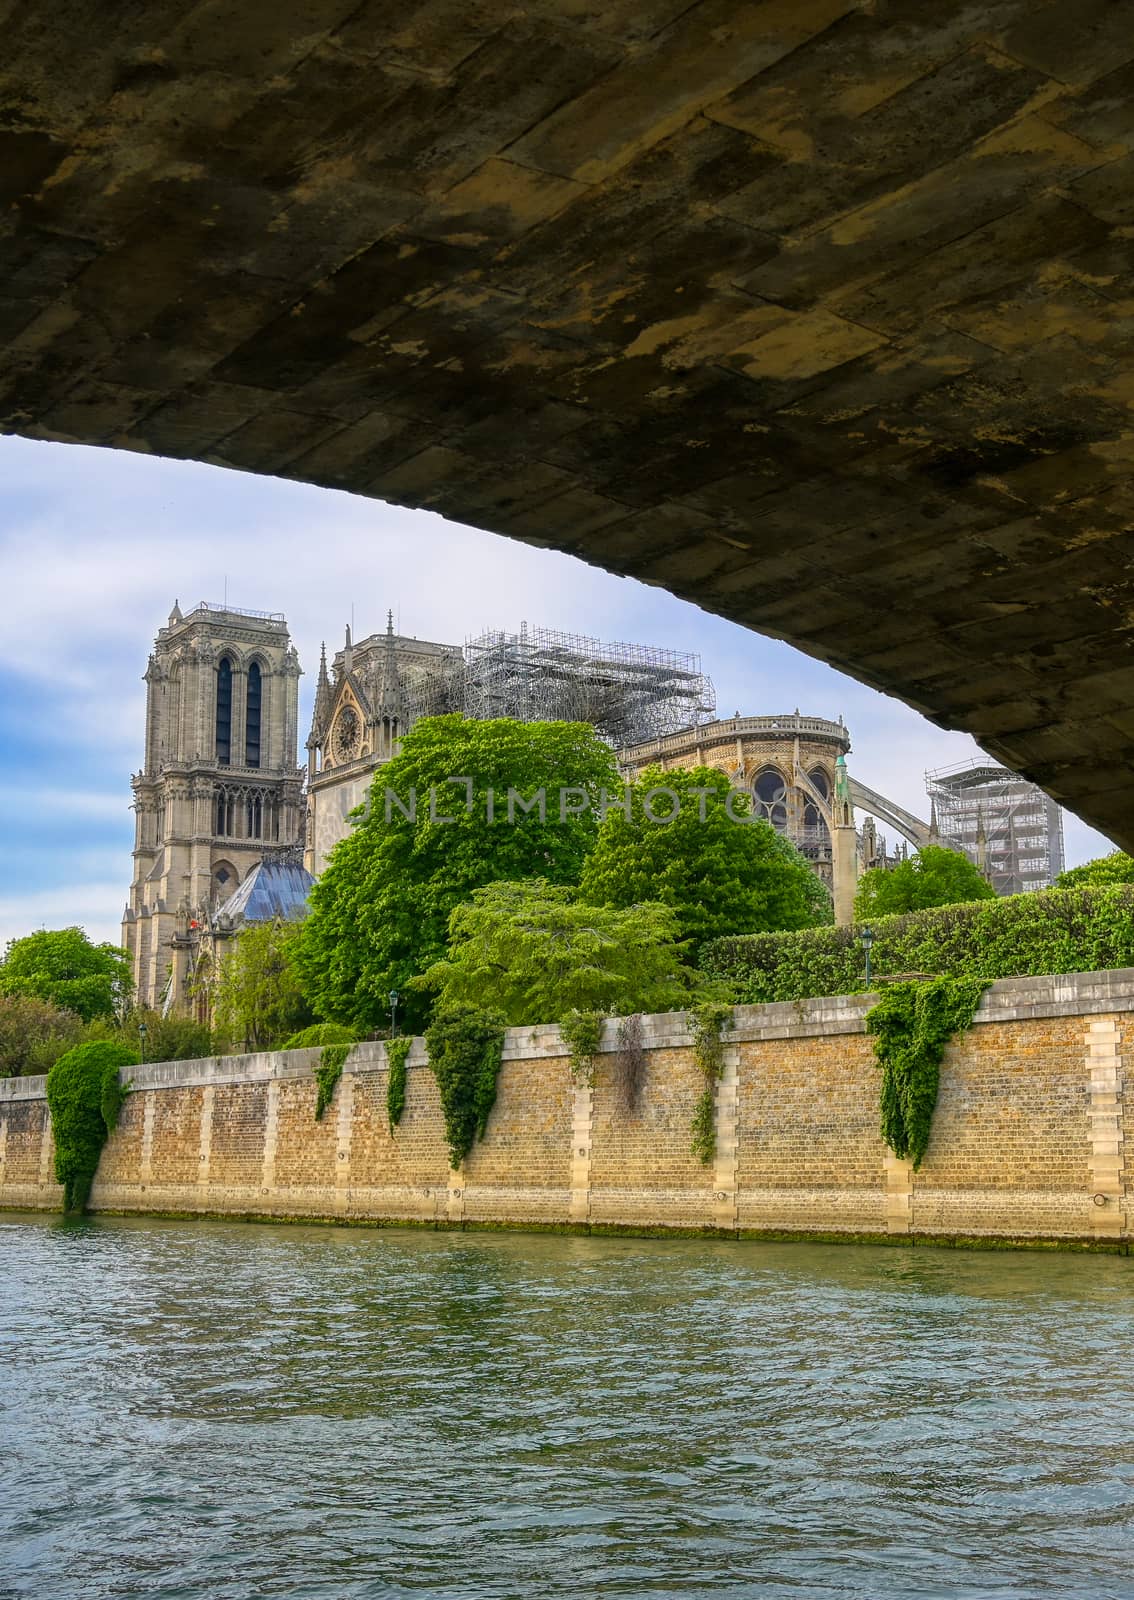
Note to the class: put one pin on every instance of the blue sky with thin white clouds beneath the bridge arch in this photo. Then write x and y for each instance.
(97, 545)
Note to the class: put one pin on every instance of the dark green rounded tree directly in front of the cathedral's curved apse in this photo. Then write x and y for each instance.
(693, 844)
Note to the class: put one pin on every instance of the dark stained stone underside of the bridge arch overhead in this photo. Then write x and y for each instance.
(815, 313)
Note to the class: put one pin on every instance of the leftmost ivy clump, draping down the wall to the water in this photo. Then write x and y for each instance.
(86, 1097)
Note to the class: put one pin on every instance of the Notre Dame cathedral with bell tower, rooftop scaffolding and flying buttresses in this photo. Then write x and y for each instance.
(231, 830)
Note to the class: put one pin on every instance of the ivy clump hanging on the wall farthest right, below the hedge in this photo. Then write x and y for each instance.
(912, 1025)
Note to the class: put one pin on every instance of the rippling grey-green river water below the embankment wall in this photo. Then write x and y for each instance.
(233, 1412)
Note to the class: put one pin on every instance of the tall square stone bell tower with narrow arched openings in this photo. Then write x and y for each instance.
(218, 786)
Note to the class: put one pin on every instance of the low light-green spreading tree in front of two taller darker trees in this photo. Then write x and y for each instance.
(535, 951)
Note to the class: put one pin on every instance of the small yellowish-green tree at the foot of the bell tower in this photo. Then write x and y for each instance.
(260, 998)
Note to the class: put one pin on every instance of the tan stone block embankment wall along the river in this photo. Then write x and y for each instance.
(1029, 1140)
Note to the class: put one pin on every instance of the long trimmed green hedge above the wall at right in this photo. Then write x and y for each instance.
(1020, 937)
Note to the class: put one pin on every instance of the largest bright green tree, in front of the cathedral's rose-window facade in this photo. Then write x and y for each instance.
(445, 818)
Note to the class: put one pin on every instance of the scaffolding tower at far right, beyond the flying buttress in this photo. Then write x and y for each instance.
(1005, 825)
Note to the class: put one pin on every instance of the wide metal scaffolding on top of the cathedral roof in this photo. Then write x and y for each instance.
(629, 692)
